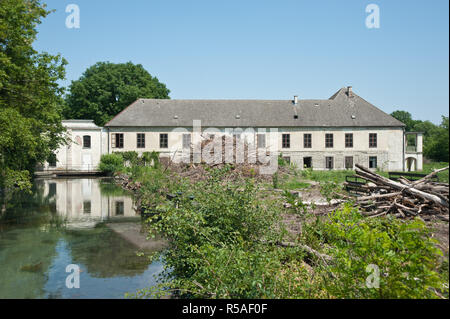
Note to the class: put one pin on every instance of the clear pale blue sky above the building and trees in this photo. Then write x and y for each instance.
(256, 49)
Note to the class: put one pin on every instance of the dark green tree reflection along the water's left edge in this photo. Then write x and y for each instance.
(28, 238)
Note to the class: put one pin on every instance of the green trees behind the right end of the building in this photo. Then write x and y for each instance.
(435, 137)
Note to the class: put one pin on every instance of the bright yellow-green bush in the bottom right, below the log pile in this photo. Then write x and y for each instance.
(404, 252)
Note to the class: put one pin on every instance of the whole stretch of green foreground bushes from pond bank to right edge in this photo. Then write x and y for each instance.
(223, 239)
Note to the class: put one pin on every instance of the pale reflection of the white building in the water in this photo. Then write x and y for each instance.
(82, 204)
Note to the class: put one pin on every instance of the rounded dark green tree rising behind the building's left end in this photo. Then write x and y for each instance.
(105, 89)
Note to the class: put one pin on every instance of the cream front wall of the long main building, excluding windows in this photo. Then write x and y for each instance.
(389, 150)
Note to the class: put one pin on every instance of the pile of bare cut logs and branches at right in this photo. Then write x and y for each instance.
(404, 199)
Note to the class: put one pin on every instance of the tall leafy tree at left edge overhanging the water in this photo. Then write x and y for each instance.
(30, 97)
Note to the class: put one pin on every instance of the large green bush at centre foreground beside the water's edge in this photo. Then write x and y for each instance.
(215, 228)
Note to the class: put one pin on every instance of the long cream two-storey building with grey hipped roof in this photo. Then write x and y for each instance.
(334, 133)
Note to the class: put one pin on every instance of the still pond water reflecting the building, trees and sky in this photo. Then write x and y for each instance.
(87, 222)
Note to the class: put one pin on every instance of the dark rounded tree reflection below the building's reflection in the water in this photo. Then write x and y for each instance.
(104, 253)
